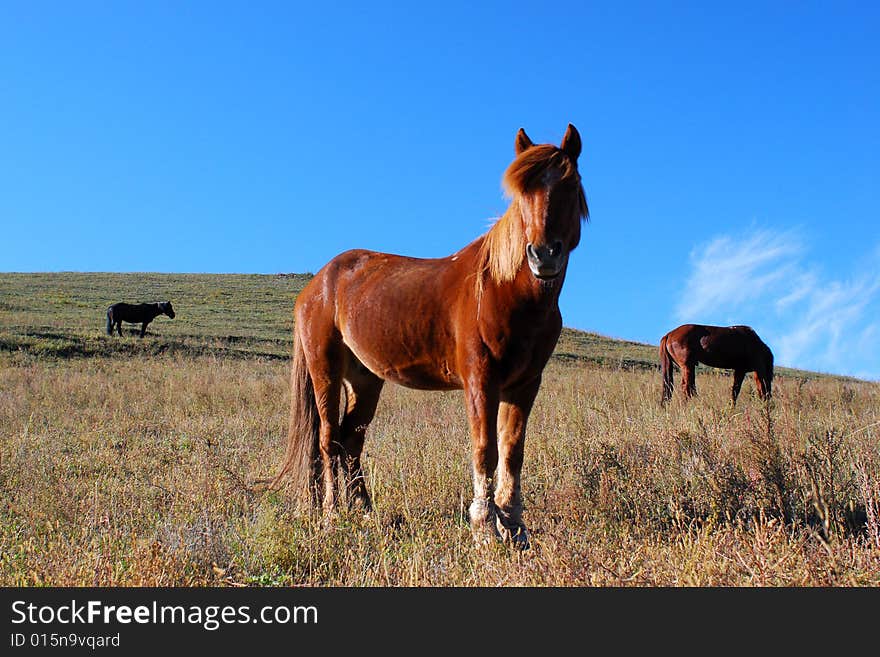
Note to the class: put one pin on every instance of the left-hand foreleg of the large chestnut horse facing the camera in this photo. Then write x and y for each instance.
(482, 409)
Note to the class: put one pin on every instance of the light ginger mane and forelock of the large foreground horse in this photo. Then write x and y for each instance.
(502, 253)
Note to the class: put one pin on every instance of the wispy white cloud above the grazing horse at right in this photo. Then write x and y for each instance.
(810, 320)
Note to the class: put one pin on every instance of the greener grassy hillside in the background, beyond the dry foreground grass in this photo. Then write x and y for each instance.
(226, 315)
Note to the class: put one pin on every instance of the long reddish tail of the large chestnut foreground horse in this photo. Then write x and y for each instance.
(303, 433)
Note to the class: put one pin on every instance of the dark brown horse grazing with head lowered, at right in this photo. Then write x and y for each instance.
(733, 347)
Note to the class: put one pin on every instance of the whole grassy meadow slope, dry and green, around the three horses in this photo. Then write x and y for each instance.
(128, 462)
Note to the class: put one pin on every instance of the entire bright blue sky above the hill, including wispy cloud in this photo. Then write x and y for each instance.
(731, 155)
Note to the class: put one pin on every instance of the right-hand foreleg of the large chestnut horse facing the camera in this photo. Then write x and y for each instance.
(513, 414)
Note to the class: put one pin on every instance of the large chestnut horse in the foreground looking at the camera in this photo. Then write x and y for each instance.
(484, 319)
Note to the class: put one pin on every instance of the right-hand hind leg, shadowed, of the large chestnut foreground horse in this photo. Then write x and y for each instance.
(362, 390)
